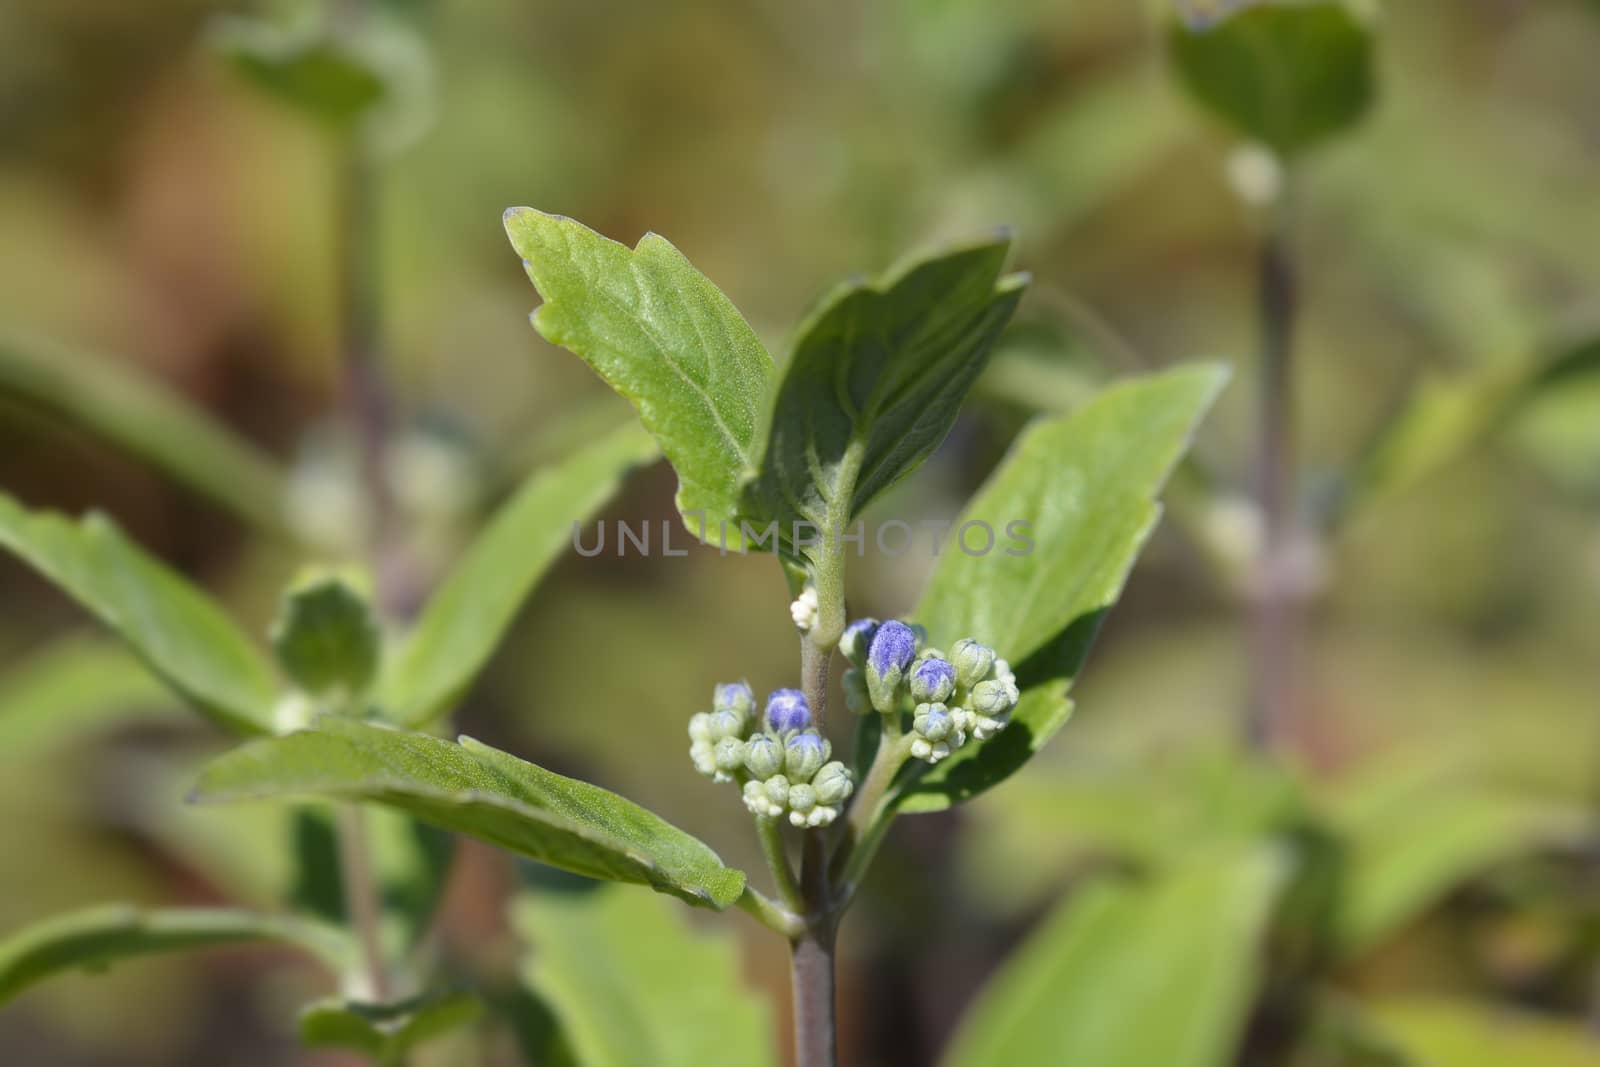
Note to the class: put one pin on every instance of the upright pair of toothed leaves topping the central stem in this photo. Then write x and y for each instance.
(873, 386)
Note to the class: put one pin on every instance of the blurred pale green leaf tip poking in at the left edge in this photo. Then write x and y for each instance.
(71, 689)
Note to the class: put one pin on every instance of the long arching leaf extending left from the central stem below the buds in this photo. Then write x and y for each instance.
(473, 789)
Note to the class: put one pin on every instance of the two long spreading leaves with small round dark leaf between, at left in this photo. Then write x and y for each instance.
(188, 642)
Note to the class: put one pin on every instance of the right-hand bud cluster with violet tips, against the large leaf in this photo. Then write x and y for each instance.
(969, 693)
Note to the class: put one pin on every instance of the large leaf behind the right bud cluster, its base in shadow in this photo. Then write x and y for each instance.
(1086, 487)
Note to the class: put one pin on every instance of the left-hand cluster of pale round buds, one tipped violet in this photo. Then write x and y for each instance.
(780, 759)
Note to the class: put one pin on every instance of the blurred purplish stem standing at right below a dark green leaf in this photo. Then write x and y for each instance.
(1276, 589)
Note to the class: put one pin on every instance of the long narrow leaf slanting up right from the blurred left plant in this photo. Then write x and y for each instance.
(468, 615)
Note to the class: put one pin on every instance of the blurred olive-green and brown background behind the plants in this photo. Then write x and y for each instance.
(166, 220)
